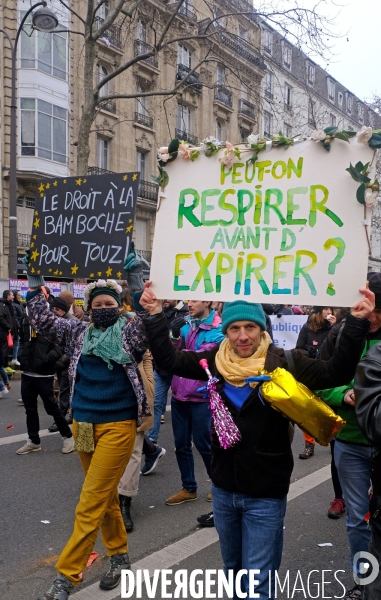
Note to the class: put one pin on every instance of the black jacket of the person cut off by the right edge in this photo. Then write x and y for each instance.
(368, 411)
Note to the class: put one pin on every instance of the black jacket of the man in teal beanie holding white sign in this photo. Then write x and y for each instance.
(260, 465)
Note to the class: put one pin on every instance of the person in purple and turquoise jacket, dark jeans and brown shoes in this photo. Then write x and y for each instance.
(191, 416)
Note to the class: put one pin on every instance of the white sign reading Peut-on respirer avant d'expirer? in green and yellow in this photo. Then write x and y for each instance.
(287, 229)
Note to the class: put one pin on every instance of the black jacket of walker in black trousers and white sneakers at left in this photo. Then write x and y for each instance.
(37, 354)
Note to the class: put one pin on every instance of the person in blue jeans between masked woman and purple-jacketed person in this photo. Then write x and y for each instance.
(173, 310)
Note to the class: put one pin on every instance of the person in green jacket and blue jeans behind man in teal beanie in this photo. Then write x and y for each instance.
(352, 452)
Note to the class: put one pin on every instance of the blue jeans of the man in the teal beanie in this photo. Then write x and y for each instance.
(251, 536)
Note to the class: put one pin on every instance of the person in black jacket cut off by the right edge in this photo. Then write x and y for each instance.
(367, 396)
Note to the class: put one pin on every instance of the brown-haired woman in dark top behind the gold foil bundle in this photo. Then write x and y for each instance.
(310, 339)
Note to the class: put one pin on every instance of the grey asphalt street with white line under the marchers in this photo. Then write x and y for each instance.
(44, 486)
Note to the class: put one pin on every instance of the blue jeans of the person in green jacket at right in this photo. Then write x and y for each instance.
(353, 463)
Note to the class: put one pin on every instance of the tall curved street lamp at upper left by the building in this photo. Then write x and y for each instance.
(43, 20)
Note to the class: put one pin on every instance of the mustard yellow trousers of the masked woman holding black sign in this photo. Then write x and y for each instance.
(98, 506)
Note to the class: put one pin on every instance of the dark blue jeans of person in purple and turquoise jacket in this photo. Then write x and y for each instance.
(191, 420)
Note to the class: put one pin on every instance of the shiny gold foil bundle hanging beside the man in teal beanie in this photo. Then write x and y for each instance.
(296, 402)
